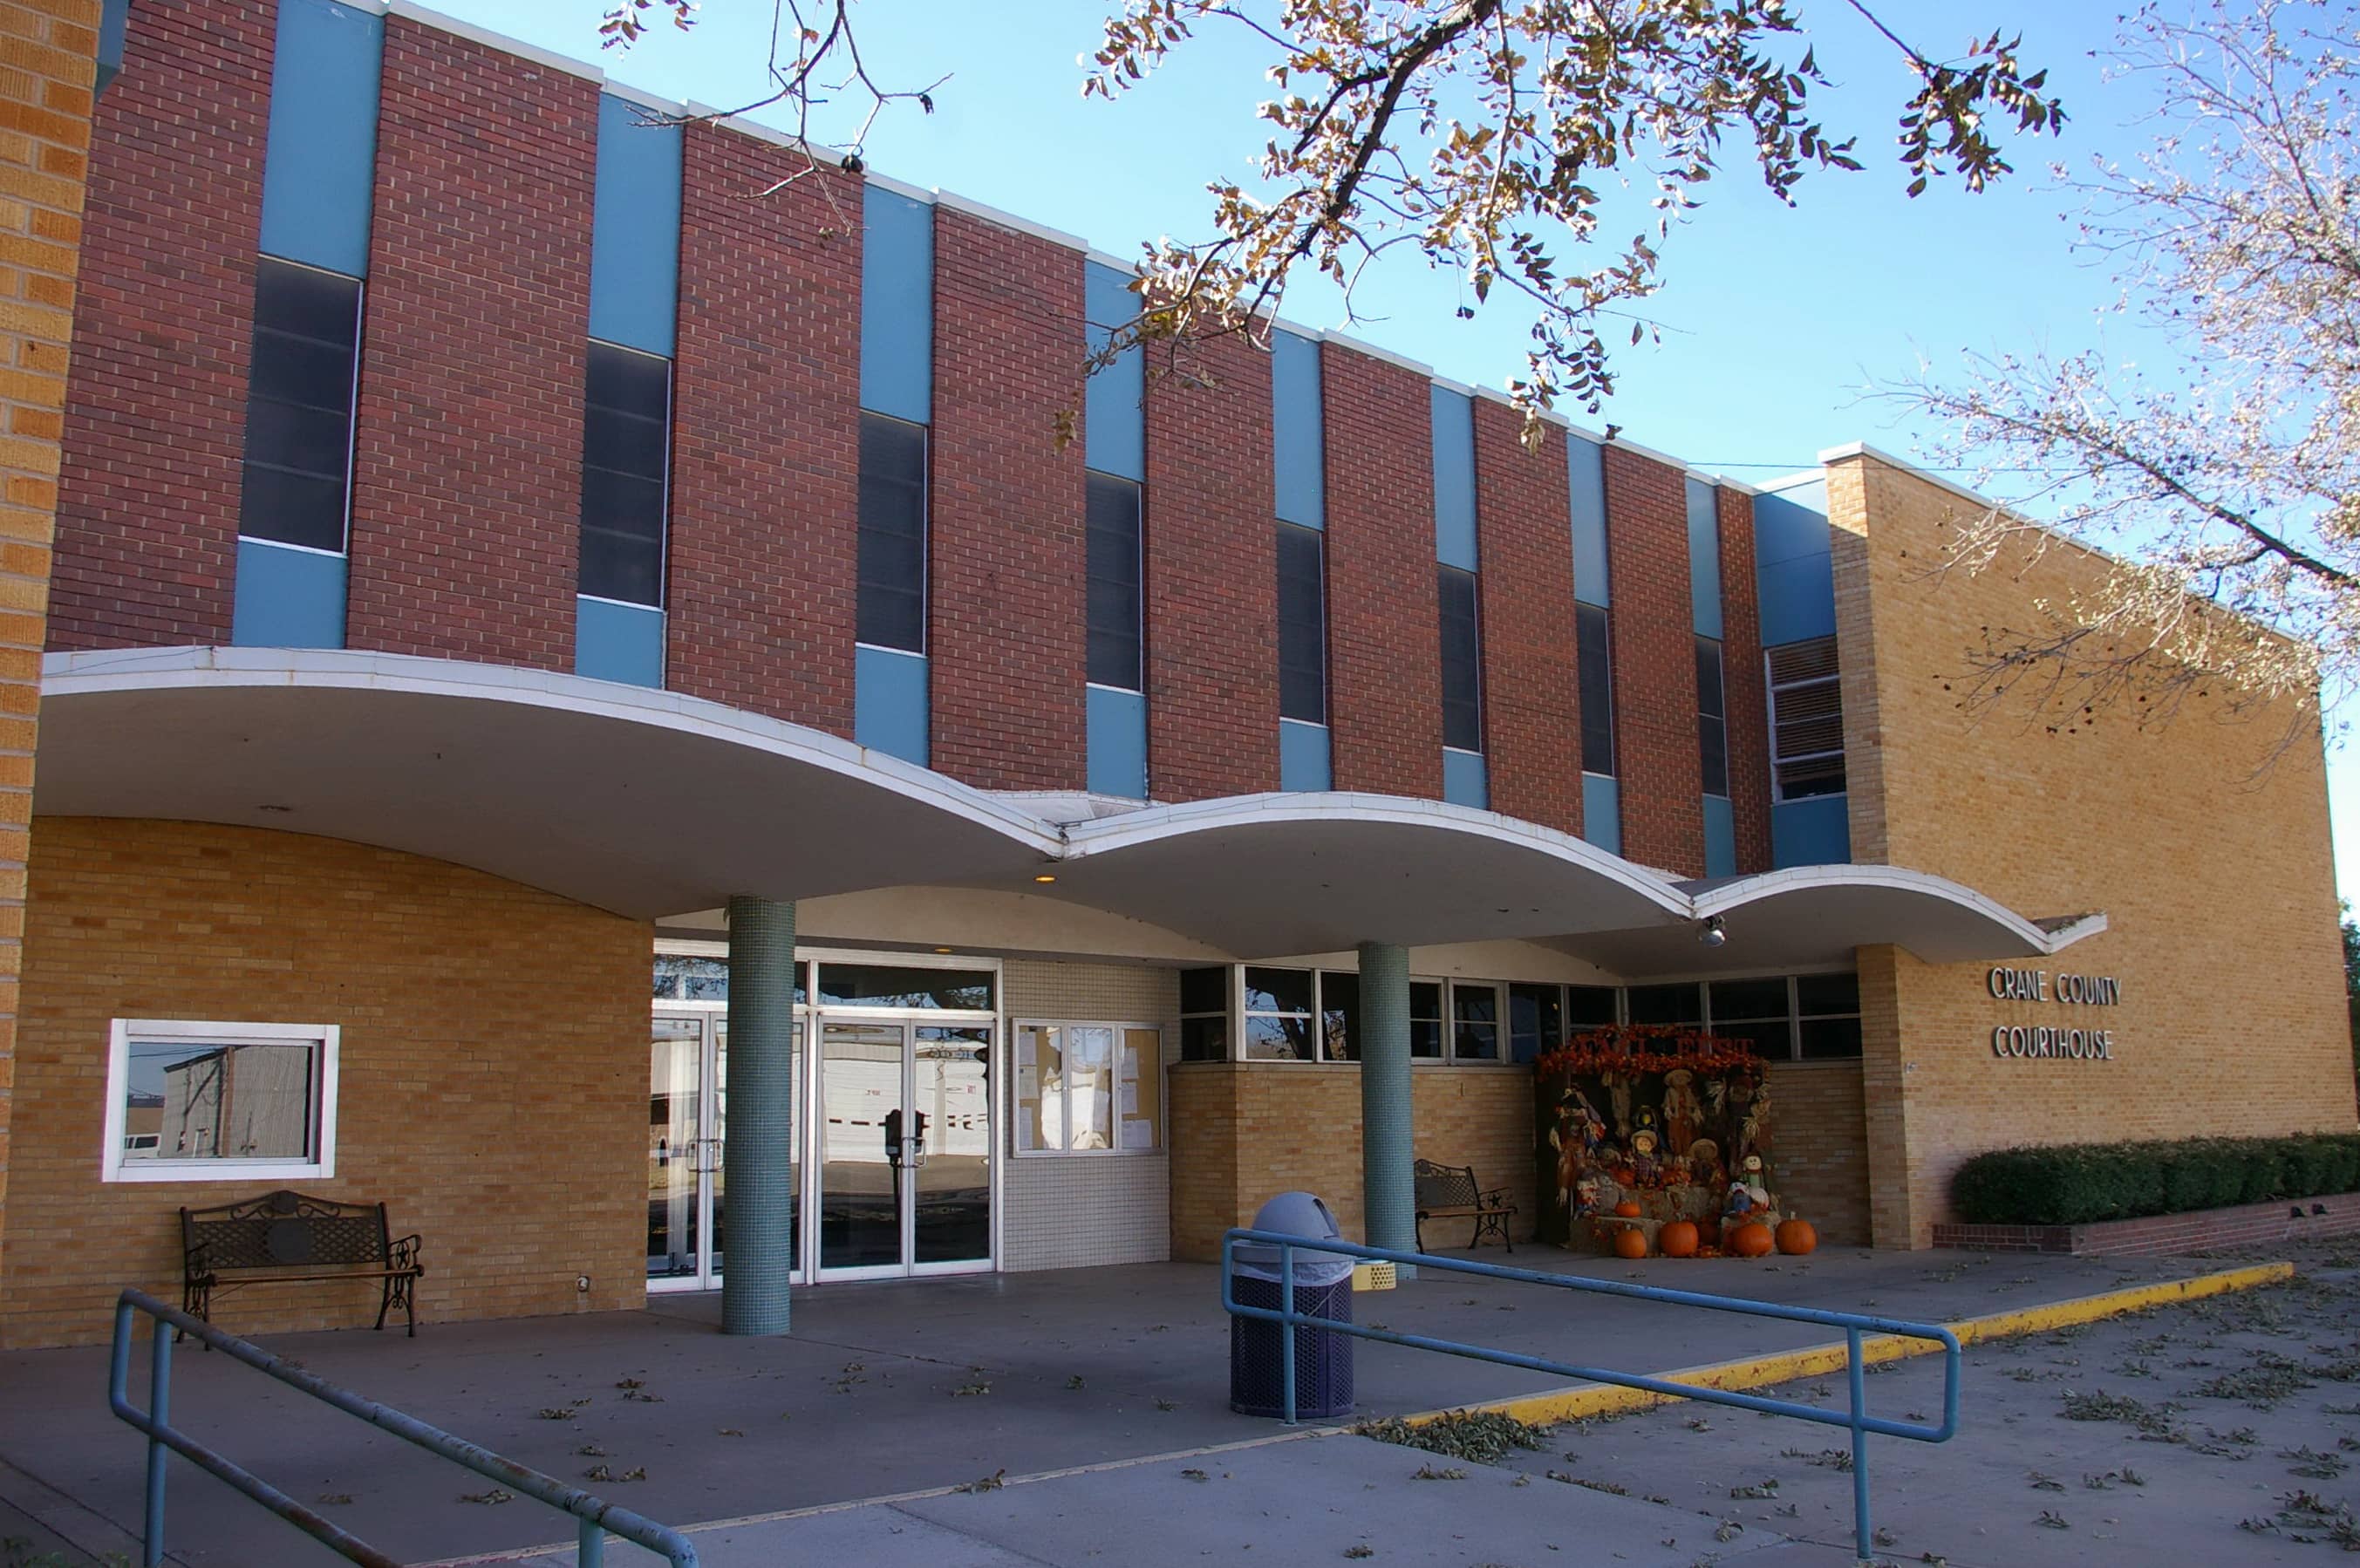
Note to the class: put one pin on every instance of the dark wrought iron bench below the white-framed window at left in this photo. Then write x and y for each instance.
(284, 1239)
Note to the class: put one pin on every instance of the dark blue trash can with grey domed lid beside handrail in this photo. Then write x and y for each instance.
(1323, 1286)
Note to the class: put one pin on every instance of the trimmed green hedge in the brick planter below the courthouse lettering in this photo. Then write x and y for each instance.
(2076, 1184)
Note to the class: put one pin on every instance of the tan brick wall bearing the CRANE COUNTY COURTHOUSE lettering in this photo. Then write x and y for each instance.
(2210, 863)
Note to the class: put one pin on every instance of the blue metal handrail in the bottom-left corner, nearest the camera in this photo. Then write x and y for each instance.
(596, 1515)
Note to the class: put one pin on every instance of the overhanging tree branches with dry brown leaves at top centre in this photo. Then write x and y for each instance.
(1507, 141)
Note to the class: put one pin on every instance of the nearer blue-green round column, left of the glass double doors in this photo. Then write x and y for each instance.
(756, 1161)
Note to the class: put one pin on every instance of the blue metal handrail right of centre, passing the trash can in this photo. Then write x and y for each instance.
(1854, 1326)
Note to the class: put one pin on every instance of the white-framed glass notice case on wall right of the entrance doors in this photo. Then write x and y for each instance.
(1089, 1090)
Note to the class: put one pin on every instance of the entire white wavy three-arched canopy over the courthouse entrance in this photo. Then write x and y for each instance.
(655, 804)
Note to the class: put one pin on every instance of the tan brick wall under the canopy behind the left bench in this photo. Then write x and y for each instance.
(494, 1069)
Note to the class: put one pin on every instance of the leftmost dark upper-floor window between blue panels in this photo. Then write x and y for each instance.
(299, 407)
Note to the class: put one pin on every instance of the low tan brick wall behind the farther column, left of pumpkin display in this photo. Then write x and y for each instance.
(1247, 1132)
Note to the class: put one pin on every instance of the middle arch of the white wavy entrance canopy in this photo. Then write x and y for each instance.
(1320, 873)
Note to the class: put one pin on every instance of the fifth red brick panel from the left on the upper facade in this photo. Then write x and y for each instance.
(1212, 563)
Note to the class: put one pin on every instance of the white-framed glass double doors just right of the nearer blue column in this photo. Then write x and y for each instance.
(905, 1149)
